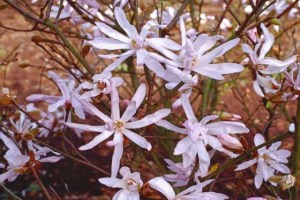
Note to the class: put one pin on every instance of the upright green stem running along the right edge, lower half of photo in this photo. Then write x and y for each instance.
(296, 150)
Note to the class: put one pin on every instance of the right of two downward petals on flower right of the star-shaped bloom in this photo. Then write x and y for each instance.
(204, 159)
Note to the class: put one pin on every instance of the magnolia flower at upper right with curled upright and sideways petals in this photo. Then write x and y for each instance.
(273, 65)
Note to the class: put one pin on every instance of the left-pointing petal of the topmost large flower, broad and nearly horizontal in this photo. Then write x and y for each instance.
(108, 44)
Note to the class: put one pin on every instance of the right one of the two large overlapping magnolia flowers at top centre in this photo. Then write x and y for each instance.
(195, 55)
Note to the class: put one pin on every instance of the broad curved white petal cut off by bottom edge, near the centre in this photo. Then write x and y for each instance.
(163, 187)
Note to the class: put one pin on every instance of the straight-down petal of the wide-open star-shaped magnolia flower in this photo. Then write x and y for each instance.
(117, 155)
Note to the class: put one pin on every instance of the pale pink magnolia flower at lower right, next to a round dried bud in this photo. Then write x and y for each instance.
(267, 160)
